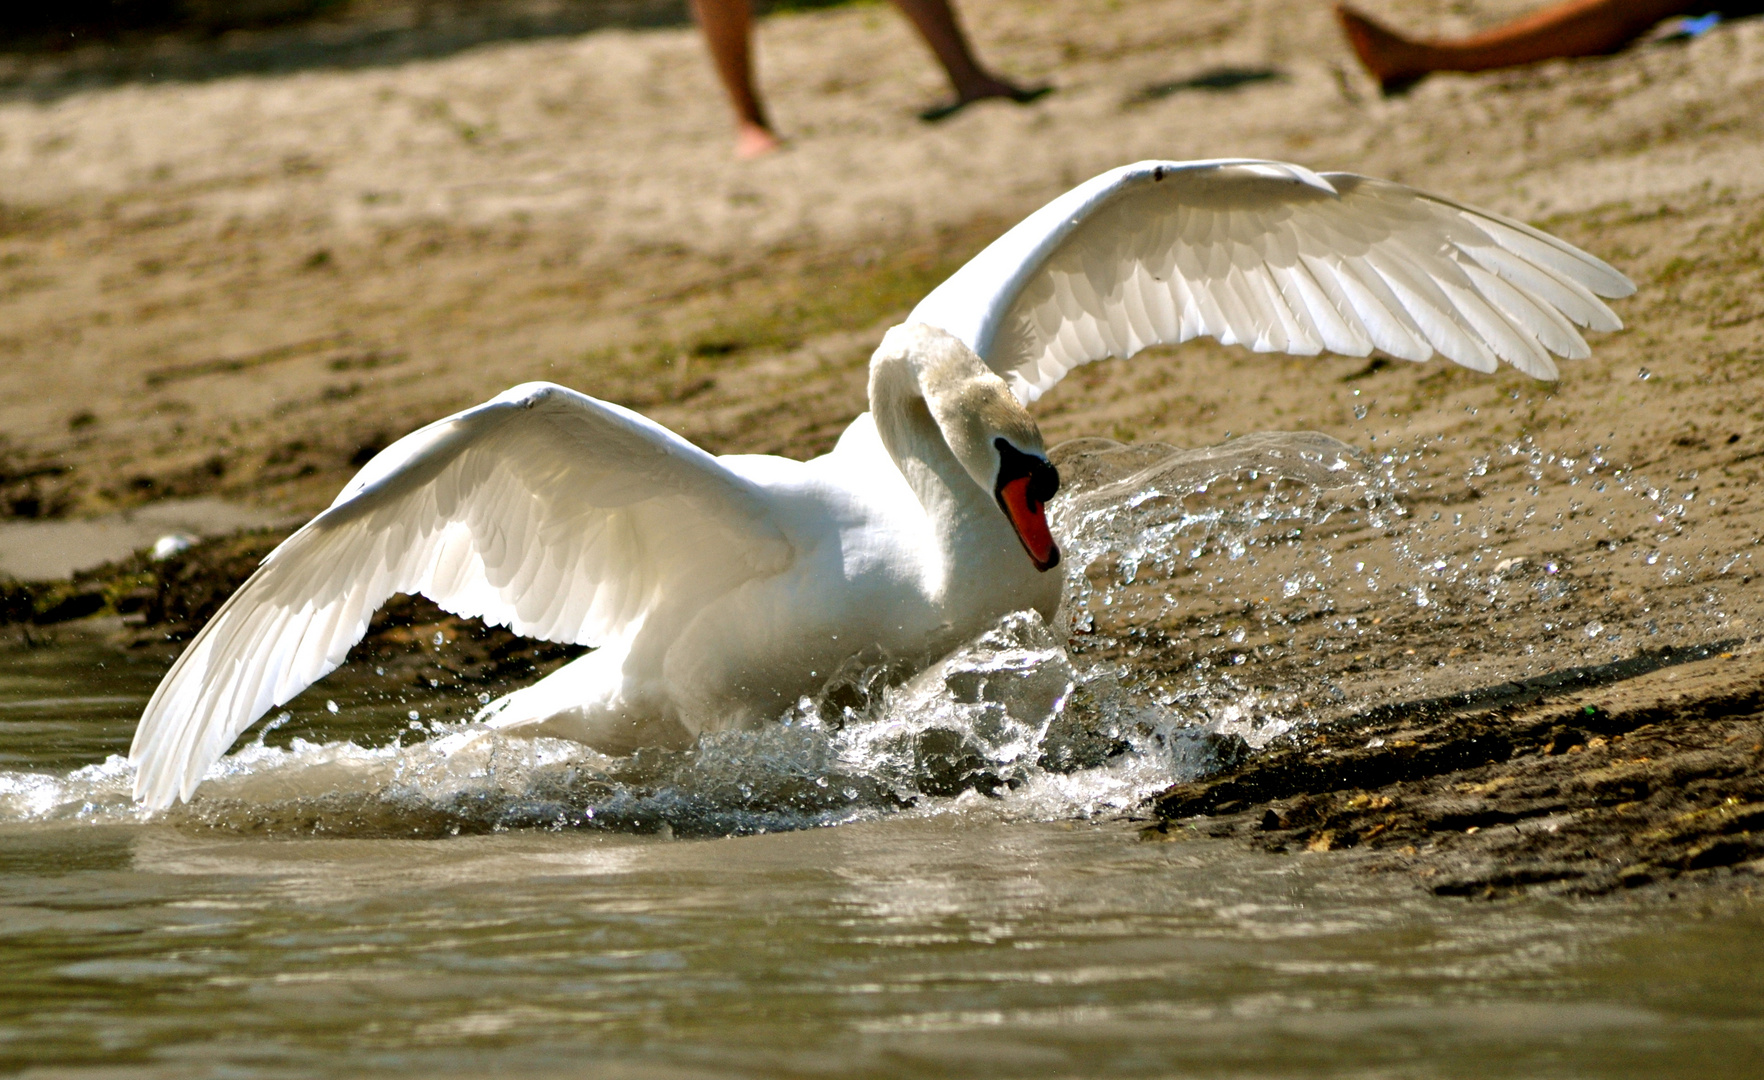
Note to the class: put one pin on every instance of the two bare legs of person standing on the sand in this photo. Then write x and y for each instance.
(729, 29)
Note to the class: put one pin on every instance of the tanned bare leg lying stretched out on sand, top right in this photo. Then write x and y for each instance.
(1569, 29)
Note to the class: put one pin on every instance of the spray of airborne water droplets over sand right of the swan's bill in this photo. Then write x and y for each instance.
(1283, 583)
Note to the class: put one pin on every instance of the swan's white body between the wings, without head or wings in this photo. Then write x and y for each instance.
(869, 566)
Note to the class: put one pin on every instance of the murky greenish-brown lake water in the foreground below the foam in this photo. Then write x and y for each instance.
(964, 936)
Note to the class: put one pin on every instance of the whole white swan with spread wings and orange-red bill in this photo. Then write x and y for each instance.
(717, 590)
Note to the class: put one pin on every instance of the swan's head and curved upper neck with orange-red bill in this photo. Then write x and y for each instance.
(989, 431)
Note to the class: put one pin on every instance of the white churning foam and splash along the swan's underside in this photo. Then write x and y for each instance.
(1006, 717)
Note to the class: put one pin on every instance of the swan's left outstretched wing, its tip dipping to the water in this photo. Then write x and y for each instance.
(544, 511)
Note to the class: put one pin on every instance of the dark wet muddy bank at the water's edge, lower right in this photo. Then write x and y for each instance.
(1645, 772)
